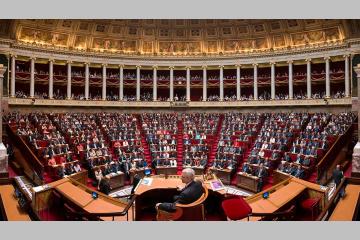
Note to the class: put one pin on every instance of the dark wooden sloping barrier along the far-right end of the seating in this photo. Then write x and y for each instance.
(324, 162)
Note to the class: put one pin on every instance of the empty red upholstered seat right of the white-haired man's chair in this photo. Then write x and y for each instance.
(236, 208)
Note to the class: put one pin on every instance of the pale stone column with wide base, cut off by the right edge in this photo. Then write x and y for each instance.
(356, 154)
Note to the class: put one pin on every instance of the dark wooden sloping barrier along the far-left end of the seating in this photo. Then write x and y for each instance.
(35, 162)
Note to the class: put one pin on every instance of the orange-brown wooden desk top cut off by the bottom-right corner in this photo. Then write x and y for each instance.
(345, 209)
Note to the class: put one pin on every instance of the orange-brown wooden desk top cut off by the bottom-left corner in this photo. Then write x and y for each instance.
(11, 206)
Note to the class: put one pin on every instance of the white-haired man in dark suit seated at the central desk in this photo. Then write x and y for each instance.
(190, 193)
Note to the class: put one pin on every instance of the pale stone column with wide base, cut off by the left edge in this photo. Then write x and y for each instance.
(3, 152)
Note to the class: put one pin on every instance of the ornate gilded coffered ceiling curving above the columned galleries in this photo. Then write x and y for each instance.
(178, 36)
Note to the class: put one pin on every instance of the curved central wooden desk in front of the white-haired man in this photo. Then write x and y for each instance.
(161, 189)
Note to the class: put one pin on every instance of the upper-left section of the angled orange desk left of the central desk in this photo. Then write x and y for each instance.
(73, 193)
